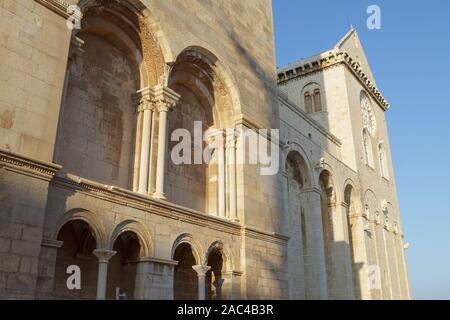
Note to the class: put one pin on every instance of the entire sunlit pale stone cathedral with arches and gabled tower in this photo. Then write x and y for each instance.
(87, 180)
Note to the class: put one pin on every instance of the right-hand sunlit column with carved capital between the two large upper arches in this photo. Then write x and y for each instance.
(165, 100)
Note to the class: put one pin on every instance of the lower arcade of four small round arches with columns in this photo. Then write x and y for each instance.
(121, 265)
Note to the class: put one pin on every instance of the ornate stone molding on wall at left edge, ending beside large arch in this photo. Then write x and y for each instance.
(25, 165)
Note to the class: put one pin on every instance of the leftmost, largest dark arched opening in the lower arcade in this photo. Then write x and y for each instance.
(78, 245)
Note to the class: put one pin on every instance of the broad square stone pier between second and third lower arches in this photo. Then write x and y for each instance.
(154, 279)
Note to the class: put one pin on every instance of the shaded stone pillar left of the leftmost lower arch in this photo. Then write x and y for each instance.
(46, 269)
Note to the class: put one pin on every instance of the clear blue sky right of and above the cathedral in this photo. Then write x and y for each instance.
(410, 58)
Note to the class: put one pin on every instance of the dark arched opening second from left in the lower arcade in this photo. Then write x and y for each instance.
(122, 267)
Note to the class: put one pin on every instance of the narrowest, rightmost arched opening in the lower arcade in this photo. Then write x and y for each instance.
(214, 278)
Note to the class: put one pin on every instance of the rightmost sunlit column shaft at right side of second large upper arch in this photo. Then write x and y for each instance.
(231, 164)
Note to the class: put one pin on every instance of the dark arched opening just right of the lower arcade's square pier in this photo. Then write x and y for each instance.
(185, 285)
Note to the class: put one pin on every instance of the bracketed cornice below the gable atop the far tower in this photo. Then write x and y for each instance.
(330, 60)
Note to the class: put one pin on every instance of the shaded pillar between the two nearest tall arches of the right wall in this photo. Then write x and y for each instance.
(316, 273)
